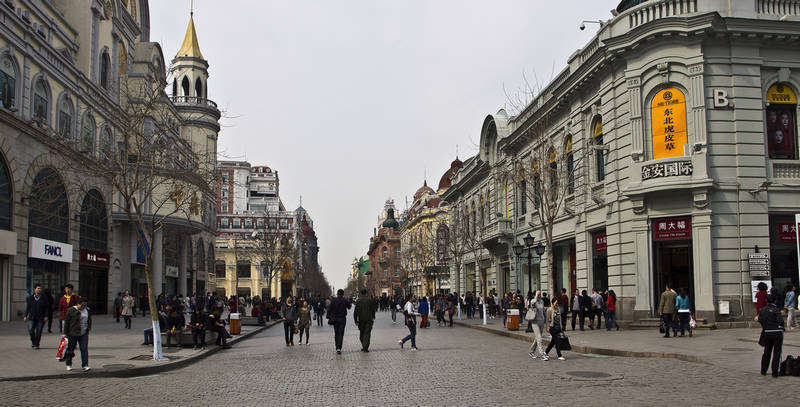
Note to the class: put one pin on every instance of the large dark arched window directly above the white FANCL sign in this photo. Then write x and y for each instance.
(48, 217)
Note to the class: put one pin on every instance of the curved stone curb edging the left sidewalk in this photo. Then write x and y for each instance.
(143, 370)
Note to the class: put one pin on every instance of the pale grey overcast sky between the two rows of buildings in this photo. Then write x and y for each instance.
(354, 101)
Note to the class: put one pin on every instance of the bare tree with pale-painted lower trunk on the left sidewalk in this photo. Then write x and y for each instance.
(154, 172)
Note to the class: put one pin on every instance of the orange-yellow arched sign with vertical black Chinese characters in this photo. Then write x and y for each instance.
(668, 115)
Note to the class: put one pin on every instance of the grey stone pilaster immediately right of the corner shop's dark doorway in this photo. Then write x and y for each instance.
(703, 272)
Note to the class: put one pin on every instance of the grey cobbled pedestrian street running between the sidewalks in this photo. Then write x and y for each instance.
(454, 366)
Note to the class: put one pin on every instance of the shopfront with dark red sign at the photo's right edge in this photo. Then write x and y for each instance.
(783, 250)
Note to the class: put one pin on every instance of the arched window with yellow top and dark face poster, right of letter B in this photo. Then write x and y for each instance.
(781, 122)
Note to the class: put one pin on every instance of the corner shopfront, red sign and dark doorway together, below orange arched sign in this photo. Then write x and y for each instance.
(672, 254)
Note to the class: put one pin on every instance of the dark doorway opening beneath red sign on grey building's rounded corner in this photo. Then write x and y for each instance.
(674, 265)
